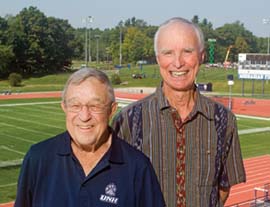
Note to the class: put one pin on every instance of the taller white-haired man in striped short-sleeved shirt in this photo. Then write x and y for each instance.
(191, 140)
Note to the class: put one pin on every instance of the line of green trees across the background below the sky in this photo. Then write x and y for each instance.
(32, 43)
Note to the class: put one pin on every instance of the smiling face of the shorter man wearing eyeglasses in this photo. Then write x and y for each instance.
(88, 110)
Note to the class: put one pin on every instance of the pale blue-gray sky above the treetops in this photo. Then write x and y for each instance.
(108, 13)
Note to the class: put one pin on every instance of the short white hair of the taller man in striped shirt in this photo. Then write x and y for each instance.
(180, 20)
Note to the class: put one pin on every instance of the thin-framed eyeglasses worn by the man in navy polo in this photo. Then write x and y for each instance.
(93, 108)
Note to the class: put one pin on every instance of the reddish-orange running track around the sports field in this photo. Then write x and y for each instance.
(257, 169)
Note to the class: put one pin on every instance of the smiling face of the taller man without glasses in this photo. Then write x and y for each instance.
(178, 56)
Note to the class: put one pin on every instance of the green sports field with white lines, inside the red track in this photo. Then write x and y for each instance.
(27, 121)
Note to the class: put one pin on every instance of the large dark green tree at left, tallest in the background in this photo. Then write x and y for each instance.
(40, 44)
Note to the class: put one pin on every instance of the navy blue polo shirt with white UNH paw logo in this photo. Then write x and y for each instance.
(52, 176)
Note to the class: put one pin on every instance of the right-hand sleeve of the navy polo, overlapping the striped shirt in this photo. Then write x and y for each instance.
(148, 191)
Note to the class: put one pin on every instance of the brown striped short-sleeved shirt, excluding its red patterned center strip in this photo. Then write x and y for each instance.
(212, 158)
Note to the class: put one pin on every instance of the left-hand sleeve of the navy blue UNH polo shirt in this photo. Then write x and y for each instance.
(24, 186)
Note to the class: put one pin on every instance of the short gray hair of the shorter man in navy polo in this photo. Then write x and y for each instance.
(82, 74)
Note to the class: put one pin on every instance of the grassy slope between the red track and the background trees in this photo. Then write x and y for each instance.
(217, 76)
